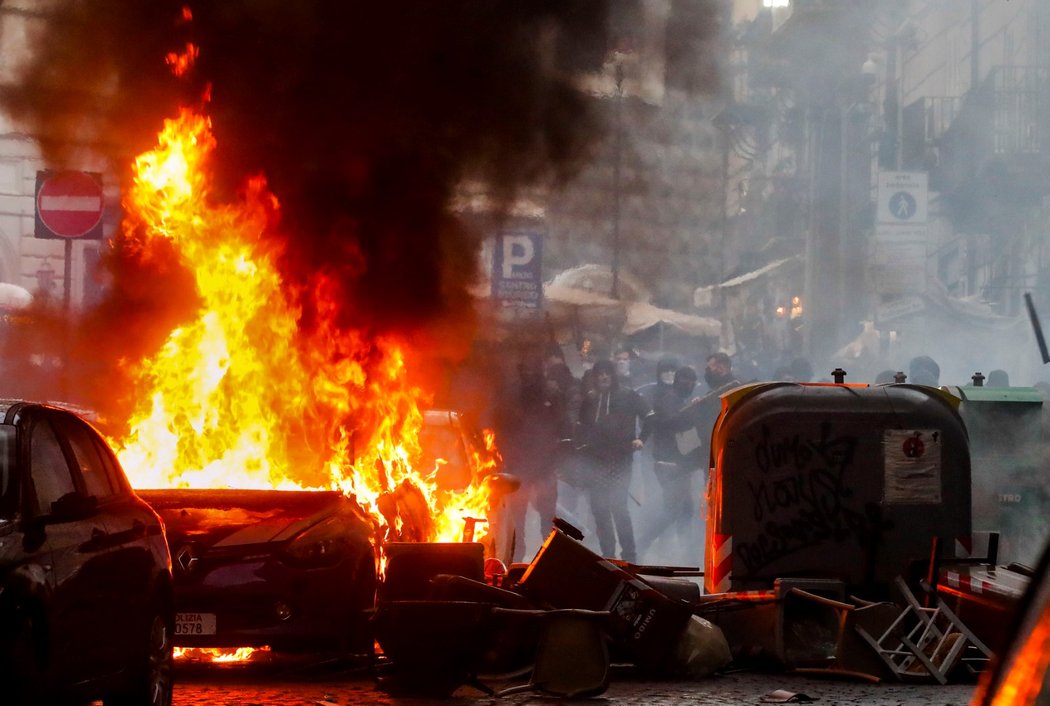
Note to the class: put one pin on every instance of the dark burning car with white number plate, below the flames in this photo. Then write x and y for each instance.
(289, 570)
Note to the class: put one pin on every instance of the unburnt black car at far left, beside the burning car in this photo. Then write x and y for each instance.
(87, 608)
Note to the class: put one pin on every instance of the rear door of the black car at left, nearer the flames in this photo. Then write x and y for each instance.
(124, 565)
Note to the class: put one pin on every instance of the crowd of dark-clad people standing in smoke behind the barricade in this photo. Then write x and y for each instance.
(622, 452)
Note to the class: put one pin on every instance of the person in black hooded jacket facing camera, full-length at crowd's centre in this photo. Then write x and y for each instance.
(607, 439)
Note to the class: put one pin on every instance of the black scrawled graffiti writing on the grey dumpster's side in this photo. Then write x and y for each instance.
(801, 500)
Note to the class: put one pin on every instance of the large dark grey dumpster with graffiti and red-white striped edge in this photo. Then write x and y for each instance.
(839, 482)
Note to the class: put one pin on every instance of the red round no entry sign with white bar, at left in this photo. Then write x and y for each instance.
(70, 205)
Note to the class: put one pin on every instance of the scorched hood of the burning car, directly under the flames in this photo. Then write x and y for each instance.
(228, 520)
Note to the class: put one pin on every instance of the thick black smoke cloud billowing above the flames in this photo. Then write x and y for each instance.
(364, 117)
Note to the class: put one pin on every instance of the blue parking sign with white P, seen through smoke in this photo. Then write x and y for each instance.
(518, 269)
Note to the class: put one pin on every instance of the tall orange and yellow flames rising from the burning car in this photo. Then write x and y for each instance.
(242, 397)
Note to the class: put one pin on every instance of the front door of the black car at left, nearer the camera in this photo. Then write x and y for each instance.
(75, 534)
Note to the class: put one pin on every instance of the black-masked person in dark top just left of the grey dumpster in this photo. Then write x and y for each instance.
(677, 455)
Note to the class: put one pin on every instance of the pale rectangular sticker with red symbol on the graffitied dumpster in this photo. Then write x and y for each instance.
(913, 471)
